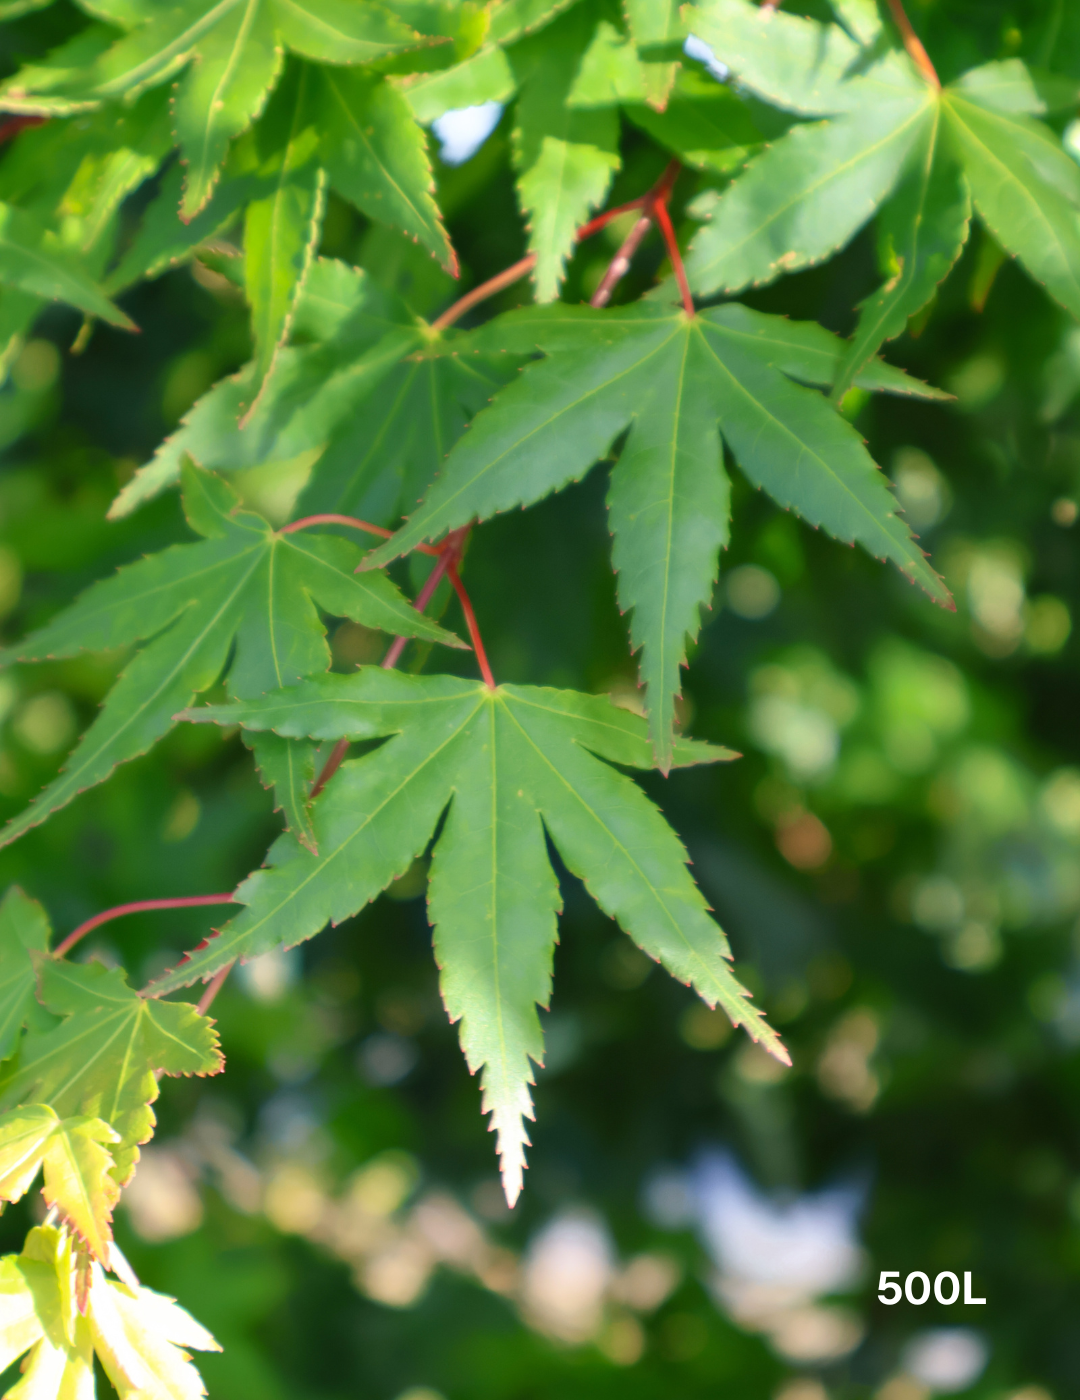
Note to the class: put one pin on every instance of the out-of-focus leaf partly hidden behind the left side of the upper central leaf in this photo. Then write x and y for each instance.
(371, 393)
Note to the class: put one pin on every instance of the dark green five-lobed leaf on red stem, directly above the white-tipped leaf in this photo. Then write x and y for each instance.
(679, 384)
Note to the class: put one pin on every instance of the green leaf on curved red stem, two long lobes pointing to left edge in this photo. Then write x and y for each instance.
(242, 584)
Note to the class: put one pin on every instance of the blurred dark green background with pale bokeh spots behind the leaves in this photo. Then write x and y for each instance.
(897, 859)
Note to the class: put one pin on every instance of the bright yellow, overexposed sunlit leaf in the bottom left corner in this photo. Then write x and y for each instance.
(137, 1333)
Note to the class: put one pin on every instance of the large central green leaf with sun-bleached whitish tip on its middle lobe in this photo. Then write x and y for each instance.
(512, 764)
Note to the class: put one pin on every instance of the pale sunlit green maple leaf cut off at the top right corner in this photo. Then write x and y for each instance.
(889, 135)
